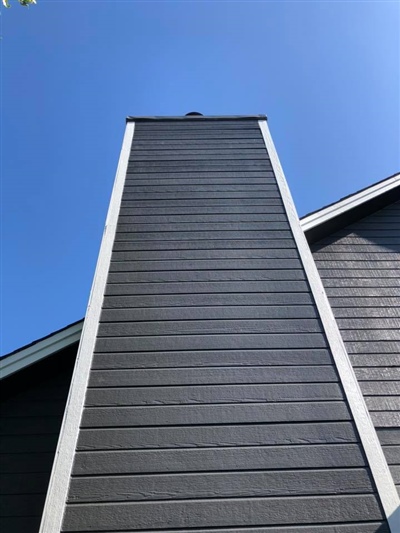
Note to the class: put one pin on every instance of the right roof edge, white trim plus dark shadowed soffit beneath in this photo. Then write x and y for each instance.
(359, 204)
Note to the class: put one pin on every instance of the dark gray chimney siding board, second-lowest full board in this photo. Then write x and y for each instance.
(219, 485)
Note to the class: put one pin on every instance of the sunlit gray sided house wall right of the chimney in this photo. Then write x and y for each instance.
(360, 268)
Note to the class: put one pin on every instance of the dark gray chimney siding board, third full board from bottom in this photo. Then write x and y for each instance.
(218, 459)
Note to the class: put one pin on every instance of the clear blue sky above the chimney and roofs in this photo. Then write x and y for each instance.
(326, 74)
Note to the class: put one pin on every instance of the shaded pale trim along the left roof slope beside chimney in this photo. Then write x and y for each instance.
(40, 350)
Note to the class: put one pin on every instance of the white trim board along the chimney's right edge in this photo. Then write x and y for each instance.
(386, 488)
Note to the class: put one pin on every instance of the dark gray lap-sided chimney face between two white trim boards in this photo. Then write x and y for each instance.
(213, 402)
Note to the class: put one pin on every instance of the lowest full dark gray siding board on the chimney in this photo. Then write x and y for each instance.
(202, 513)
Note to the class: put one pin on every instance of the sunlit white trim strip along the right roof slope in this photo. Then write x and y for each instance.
(342, 206)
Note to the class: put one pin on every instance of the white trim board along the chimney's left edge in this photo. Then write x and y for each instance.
(57, 492)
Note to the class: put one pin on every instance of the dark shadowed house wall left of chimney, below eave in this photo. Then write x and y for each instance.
(32, 406)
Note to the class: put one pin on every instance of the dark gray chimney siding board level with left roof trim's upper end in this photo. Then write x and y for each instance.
(208, 327)
